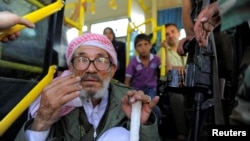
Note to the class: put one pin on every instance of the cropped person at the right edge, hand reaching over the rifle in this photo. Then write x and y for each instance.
(231, 14)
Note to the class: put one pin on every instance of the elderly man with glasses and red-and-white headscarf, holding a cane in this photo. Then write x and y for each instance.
(104, 109)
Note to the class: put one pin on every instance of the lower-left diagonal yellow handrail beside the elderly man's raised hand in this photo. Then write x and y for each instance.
(8, 120)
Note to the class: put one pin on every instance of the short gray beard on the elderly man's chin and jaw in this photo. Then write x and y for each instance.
(99, 94)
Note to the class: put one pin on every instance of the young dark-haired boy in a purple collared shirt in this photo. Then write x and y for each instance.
(141, 73)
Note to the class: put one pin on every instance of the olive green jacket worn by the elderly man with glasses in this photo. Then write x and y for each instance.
(71, 128)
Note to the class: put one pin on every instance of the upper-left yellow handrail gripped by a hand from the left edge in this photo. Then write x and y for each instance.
(35, 17)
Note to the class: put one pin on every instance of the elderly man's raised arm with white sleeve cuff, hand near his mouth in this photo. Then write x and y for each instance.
(53, 97)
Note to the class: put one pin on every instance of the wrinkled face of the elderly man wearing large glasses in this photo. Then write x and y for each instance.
(93, 80)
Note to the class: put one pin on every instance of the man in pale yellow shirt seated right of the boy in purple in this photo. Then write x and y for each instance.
(177, 62)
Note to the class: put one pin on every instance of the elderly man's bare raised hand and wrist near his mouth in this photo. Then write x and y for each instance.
(53, 97)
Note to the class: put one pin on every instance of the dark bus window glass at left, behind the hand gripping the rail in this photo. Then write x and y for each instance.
(24, 57)
